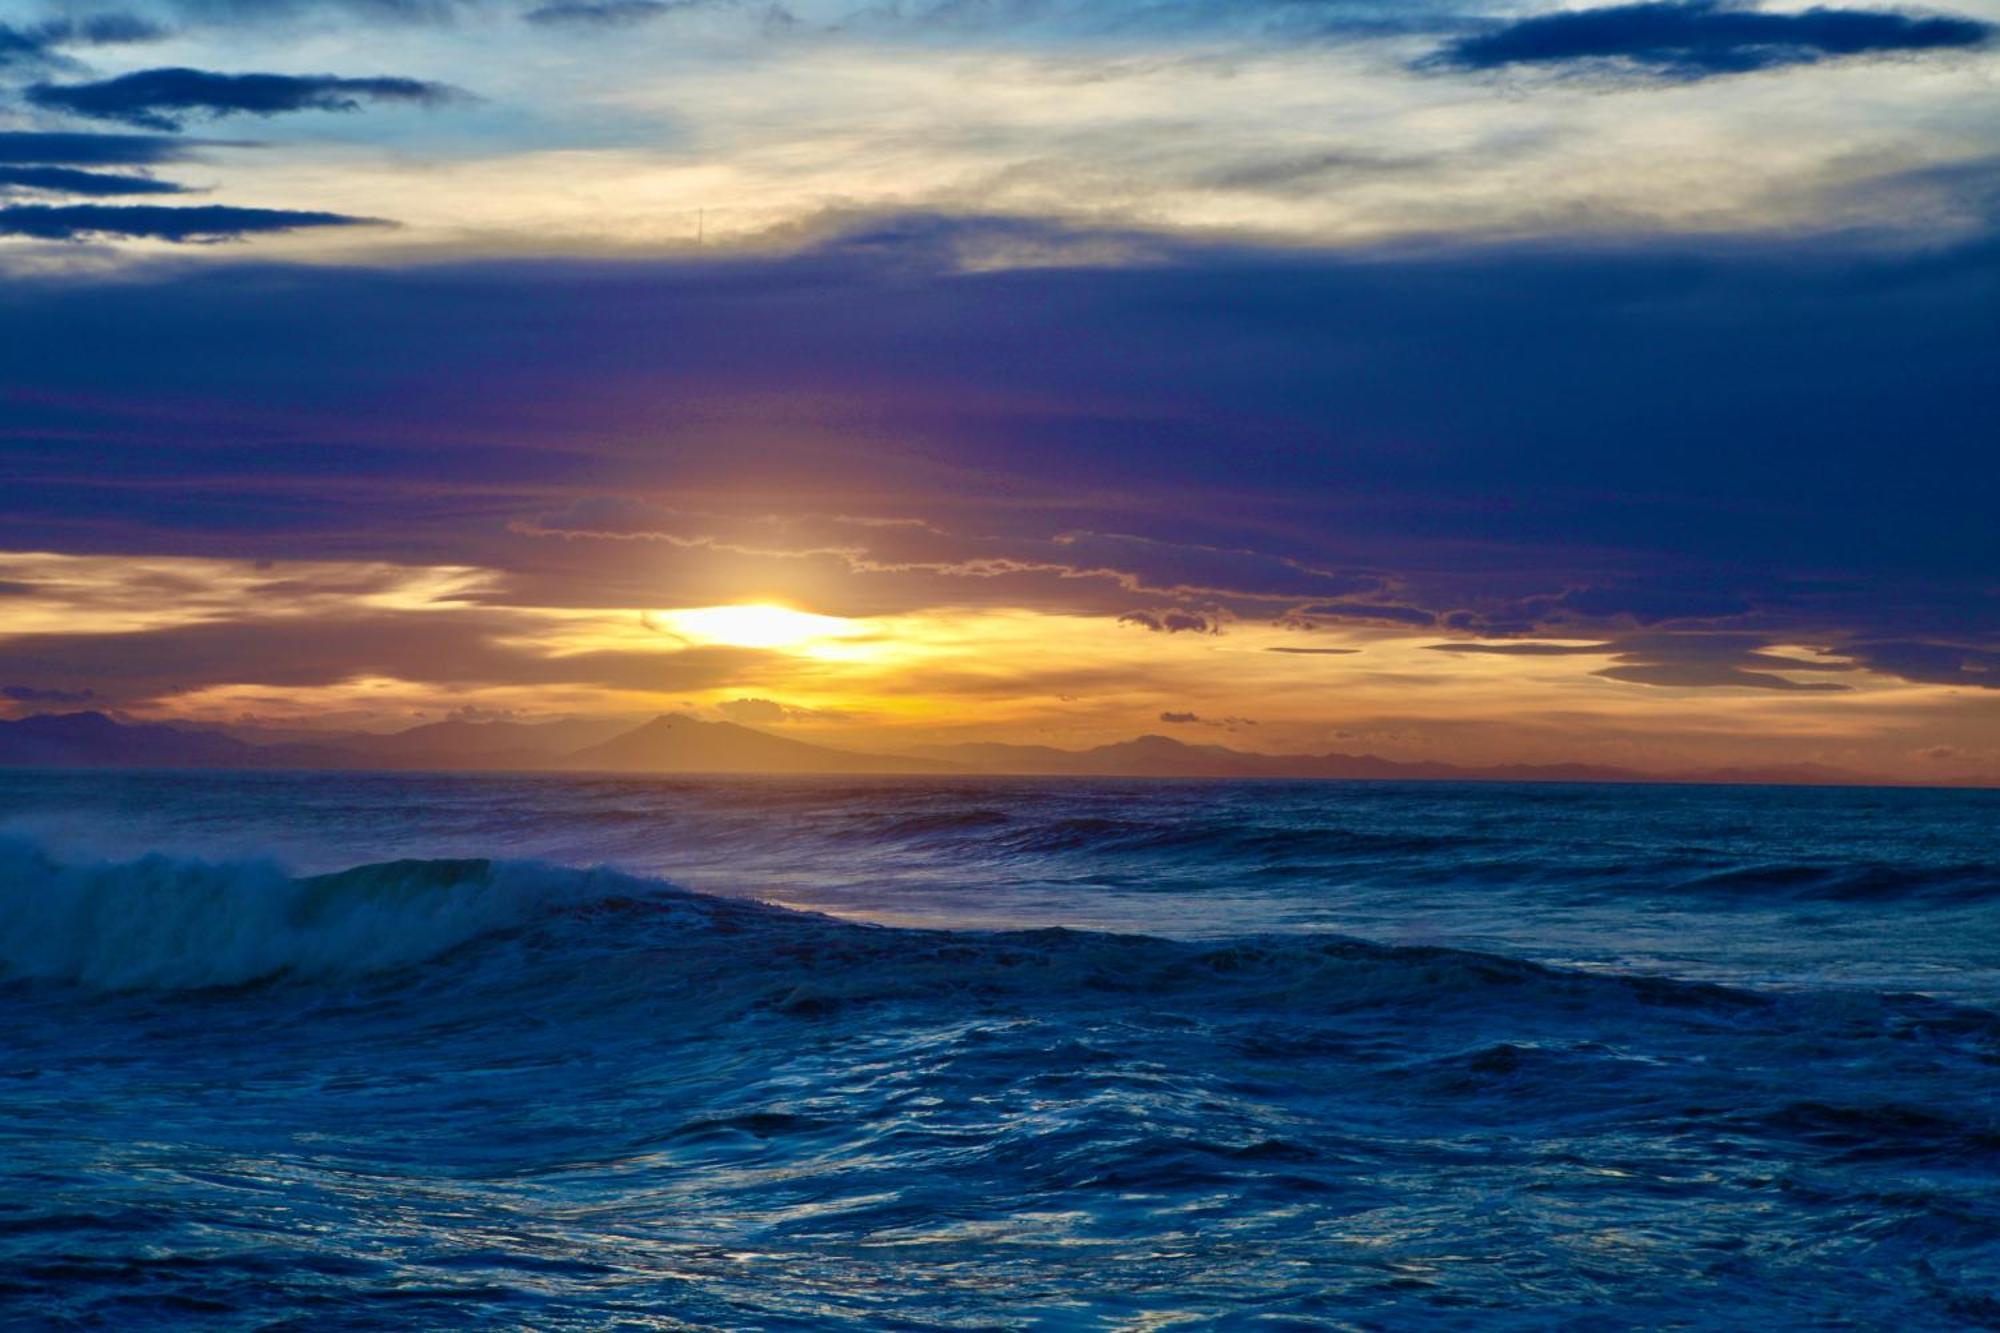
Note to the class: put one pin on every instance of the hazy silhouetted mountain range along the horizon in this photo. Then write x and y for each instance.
(681, 744)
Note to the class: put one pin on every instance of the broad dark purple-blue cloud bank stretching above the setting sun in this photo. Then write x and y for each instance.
(1479, 443)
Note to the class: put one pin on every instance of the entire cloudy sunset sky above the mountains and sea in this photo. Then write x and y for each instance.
(1475, 381)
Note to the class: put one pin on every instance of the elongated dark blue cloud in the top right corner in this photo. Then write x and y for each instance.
(1699, 39)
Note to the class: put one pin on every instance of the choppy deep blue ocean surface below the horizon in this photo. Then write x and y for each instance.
(345, 1052)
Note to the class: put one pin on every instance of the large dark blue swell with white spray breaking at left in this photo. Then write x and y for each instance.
(575, 944)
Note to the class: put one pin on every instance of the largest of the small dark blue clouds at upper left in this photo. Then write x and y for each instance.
(163, 99)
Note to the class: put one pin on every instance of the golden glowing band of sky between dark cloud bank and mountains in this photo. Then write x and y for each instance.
(895, 680)
